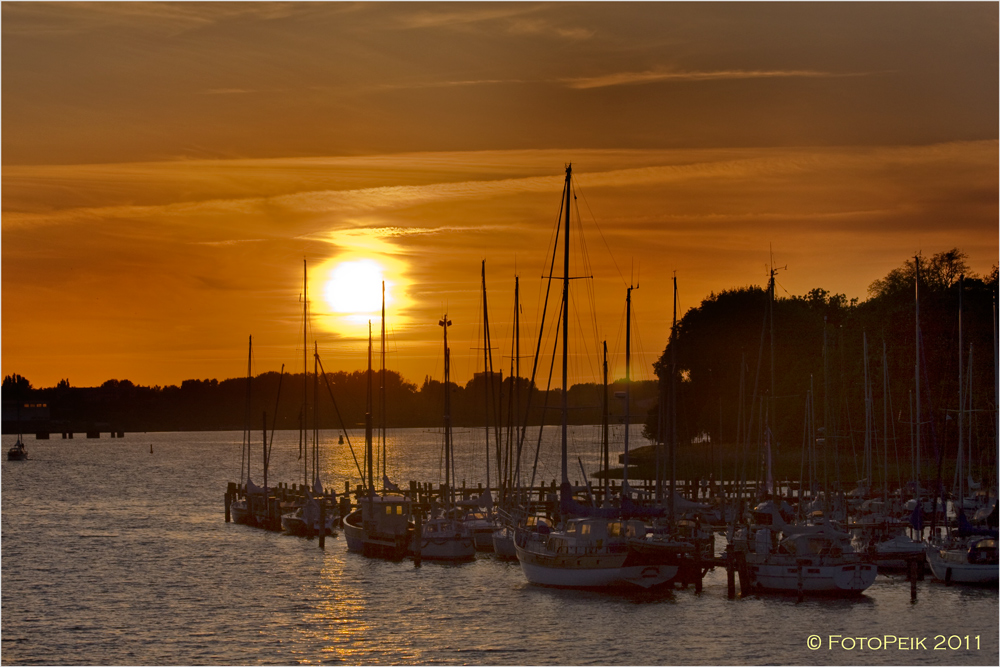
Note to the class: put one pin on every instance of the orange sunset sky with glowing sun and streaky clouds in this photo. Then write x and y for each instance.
(167, 168)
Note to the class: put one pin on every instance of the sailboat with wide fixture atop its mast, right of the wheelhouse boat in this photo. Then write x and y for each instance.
(446, 537)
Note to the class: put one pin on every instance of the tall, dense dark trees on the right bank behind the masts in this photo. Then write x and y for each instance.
(730, 335)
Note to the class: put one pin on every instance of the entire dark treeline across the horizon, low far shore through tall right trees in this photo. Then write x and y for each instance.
(727, 336)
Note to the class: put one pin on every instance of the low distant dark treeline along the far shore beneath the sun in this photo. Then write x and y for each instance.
(222, 405)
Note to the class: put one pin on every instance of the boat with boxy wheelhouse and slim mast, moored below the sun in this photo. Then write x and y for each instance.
(381, 526)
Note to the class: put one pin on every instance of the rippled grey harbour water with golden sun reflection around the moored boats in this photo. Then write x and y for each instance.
(114, 555)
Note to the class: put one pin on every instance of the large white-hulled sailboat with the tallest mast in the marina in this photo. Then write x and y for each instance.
(595, 548)
